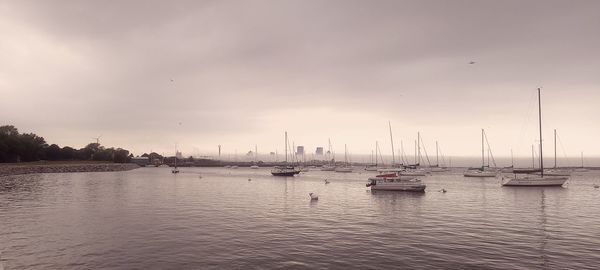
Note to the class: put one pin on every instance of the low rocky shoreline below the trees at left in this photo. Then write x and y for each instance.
(65, 168)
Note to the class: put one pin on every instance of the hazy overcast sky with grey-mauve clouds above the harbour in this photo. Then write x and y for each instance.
(147, 75)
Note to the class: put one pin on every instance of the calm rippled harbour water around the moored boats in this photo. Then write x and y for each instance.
(151, 219)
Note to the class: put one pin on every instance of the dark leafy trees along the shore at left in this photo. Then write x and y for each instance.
(27, 147)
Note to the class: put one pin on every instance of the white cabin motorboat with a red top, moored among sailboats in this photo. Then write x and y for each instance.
(396, 182)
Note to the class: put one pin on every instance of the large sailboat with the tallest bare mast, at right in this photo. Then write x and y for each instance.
(542, 179)
